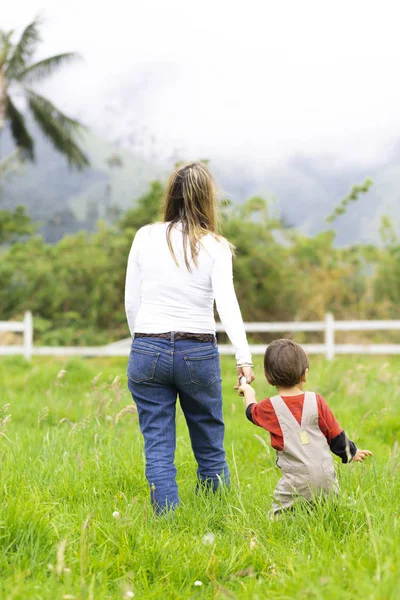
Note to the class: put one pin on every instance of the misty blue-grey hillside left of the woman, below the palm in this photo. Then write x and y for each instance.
(66, 201)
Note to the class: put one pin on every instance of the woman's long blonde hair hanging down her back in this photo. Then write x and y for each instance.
(190, 200)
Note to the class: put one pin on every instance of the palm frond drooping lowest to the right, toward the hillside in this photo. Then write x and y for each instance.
(58, 128)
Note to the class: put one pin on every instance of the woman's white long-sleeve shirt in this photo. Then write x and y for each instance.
(161, 296)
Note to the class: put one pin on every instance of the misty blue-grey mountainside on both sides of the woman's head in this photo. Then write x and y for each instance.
(306, 189)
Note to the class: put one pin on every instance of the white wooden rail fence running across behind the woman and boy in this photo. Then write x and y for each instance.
(121, 348)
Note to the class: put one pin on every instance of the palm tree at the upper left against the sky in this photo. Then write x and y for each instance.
(17, 74)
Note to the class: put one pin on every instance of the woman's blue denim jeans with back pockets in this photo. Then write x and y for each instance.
(158, 371)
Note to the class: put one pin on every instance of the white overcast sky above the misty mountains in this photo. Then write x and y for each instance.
(252, 79)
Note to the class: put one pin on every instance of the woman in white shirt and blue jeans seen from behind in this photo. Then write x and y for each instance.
(175, 271)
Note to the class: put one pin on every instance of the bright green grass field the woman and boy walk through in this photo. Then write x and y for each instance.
(67, 463)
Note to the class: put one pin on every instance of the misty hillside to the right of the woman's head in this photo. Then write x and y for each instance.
(306, 189)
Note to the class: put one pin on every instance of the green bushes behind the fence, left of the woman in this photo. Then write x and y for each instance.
(81, 275)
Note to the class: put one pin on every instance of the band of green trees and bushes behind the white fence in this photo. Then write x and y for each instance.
(75, 288)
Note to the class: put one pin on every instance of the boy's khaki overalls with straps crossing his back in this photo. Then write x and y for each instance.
(306, 460)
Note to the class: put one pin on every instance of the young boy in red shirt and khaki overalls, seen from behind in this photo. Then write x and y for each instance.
(302, 427)
